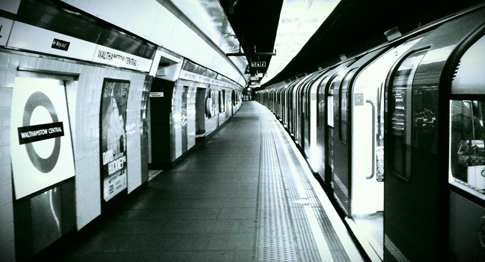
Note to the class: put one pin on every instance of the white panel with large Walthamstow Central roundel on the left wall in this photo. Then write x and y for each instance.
(40, 135)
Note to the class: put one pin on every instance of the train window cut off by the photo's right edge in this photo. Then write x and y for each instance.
(467, 154)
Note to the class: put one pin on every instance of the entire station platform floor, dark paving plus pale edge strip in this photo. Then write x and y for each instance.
(244, 194)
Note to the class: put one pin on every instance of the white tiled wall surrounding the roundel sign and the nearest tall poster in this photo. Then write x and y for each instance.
(84, 98)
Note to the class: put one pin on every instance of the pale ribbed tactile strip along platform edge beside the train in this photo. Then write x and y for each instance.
(284, 232)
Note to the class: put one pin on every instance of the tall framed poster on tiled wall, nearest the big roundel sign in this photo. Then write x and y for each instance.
(113, 137)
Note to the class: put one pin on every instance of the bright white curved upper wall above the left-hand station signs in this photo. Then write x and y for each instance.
(161, 26)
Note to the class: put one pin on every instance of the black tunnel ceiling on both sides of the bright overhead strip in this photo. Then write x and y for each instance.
(353, 26)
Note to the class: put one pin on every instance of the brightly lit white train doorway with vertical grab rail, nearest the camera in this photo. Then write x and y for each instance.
(367, 148)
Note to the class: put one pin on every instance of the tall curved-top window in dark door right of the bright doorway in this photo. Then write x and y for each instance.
(400, 113)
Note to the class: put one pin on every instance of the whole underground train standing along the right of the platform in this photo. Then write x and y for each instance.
(396, 137)
